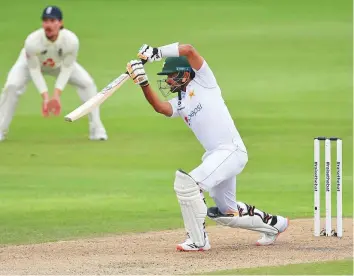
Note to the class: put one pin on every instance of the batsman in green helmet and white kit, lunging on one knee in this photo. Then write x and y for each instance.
(200, 104)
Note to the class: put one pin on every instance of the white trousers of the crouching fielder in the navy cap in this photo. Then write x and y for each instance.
(18, 78)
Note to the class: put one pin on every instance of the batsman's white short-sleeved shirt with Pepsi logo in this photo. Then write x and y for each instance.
(204, 111)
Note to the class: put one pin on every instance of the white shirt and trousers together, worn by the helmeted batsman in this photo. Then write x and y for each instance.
(203, 109)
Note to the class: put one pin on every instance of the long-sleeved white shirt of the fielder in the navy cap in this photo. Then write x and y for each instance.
(44, 55)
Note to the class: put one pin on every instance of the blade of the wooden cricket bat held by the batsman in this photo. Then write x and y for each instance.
(97, 100)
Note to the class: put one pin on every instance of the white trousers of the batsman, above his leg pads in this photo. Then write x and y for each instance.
(217, 174)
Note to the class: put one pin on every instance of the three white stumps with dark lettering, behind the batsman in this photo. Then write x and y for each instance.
(317, 183)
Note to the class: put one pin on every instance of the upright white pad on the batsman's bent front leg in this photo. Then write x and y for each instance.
(192, 205)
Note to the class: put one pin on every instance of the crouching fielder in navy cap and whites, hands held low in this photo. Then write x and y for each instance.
(51, 50)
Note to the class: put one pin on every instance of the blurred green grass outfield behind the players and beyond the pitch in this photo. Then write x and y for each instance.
(285, 69)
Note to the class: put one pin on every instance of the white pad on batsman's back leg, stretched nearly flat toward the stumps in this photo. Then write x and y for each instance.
(254, 222)
